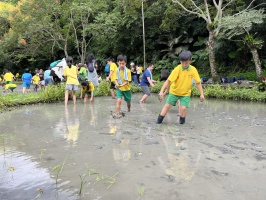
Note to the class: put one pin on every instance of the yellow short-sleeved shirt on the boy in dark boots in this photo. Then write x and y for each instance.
(181, 80)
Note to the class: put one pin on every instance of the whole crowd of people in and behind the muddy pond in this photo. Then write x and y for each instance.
(177, 83)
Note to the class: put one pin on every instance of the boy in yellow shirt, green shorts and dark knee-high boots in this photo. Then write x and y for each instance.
(180, 81)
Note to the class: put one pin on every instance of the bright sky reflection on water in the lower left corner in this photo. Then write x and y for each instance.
(19, 173)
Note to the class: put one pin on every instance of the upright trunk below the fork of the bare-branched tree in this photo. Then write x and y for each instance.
(211, 46)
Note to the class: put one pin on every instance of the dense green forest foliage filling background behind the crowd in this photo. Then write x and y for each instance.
(34, 33)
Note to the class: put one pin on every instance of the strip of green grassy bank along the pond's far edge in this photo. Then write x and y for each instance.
(56, 94)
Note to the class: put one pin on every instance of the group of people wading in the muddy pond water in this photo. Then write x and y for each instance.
(177, 84)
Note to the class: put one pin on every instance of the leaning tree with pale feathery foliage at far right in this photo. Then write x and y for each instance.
(241, 24)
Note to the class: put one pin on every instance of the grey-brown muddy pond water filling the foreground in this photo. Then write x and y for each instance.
(218, 154)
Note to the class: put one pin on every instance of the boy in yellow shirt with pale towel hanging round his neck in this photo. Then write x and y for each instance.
(122, 78)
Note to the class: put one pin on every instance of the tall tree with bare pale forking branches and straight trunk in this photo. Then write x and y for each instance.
(212, 14)
